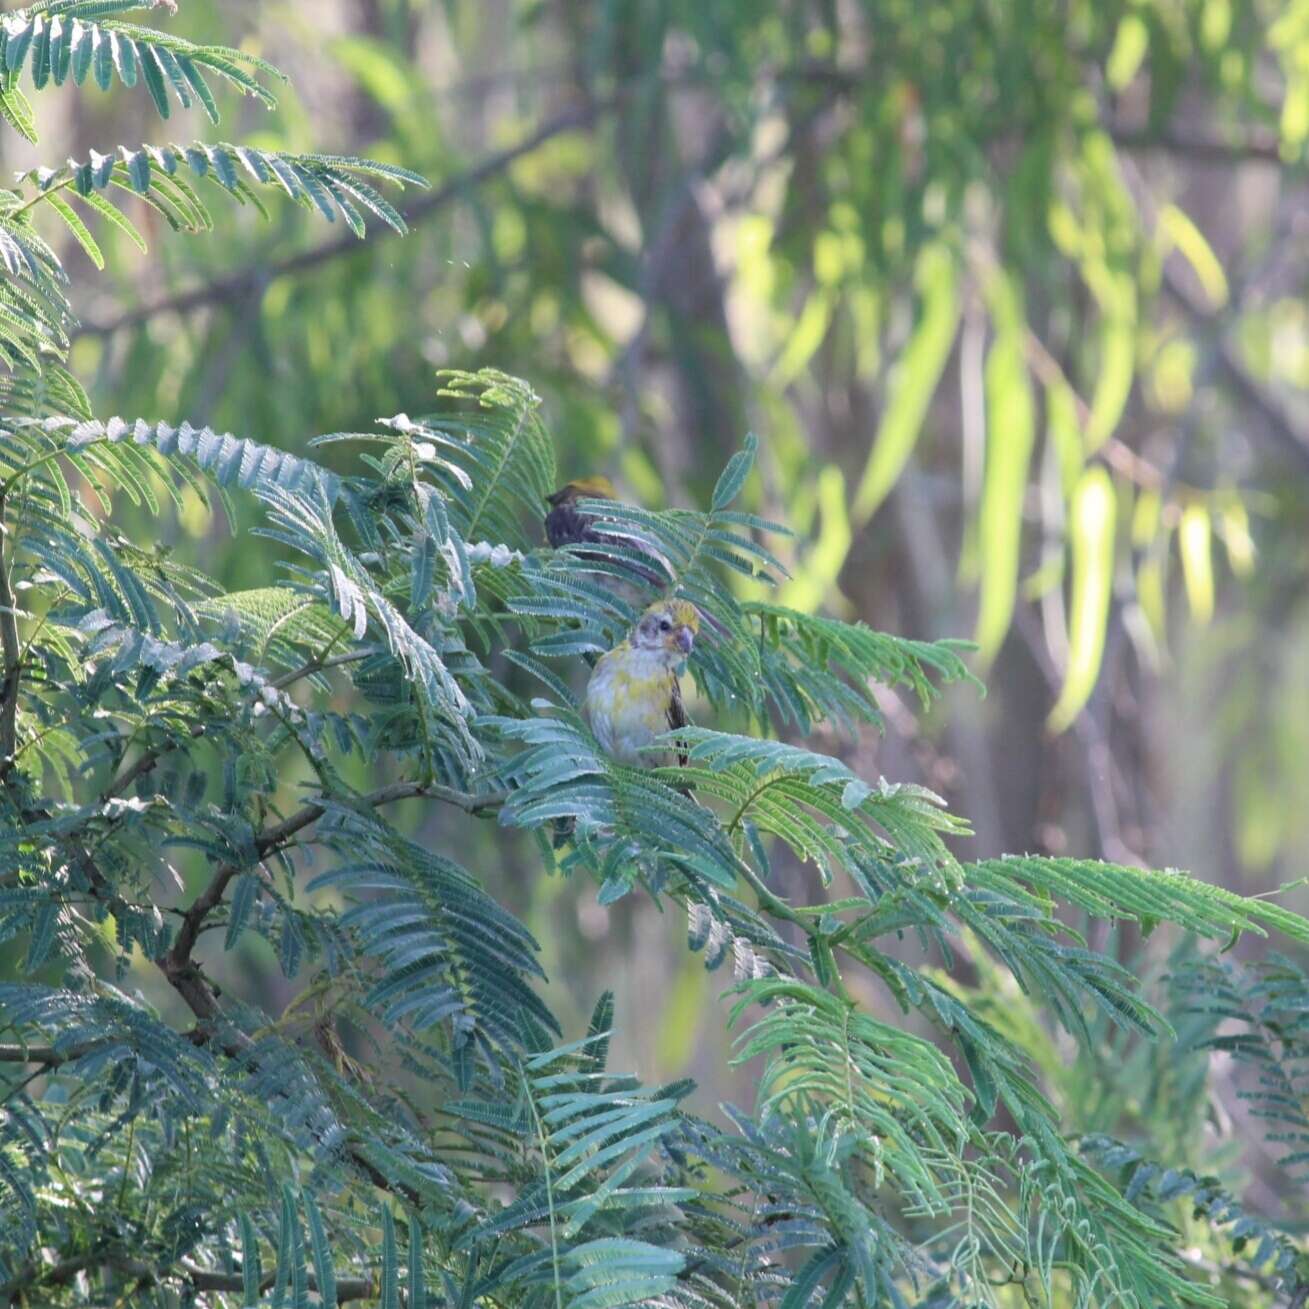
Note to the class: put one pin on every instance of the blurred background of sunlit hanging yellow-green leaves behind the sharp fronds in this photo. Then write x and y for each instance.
(1013, 294)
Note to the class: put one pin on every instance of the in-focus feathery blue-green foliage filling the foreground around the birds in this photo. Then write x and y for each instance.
(416, 1121)
